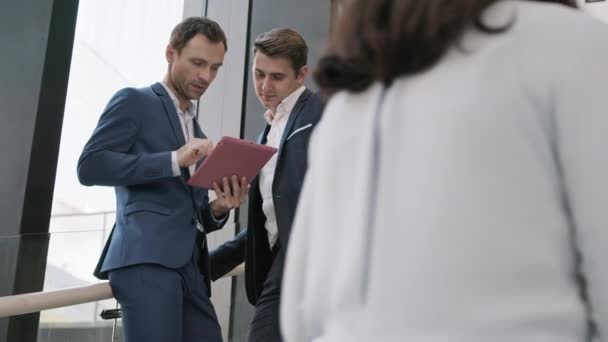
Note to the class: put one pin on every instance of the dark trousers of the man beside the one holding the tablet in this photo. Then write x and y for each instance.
(265, 325)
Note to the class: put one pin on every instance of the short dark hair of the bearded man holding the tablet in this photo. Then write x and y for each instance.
(190, 27)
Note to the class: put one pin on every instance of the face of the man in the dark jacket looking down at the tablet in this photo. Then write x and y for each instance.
(275, 79)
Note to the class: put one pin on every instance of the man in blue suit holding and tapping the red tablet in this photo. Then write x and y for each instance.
(146, 145)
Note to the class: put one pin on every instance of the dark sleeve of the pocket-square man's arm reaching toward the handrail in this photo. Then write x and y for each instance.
(228, 256)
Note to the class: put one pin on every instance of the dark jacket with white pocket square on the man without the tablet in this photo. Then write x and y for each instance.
(251, 245)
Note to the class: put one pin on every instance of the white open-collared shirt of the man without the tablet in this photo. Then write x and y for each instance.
(277, 126)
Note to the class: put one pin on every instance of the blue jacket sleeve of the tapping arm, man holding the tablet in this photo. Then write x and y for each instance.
(107, 158)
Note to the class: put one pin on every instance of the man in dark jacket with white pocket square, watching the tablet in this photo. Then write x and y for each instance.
(279, 71)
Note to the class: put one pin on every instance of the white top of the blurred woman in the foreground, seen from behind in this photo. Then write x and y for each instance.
(487, 195)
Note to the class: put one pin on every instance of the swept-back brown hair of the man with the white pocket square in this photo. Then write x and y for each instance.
(283, 43)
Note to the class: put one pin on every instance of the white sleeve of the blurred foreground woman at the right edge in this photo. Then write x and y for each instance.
(581, 123)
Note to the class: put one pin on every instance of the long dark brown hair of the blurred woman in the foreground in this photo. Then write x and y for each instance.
(380, 40)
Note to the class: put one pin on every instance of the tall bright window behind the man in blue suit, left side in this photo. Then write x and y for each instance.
(117, 44)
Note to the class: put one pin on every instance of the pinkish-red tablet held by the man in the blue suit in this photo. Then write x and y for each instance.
(231, 156)
